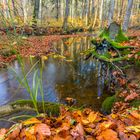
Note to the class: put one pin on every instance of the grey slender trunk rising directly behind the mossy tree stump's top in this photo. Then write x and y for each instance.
(111, 11)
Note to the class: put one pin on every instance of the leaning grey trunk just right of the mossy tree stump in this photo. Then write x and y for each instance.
(127, 15)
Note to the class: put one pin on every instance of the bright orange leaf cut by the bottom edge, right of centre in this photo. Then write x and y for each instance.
(107, 135)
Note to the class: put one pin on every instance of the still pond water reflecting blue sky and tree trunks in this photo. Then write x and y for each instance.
(67, 76)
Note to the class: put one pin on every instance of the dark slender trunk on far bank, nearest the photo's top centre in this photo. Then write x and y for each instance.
(65, 23)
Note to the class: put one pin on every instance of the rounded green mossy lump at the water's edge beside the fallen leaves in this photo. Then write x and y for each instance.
(108, 103)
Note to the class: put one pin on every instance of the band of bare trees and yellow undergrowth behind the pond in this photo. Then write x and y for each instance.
(88, 13)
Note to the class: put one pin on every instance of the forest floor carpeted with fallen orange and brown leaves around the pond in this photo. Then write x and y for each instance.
(123, 123)
